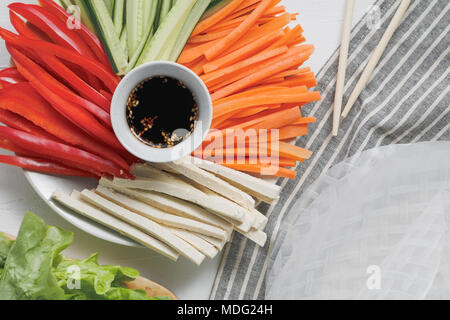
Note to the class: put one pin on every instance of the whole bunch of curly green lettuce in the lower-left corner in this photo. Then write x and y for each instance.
(32, 268)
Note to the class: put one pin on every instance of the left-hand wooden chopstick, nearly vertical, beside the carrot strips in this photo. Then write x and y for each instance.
(340, 81)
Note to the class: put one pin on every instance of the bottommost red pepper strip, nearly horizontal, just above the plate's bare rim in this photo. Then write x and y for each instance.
(43, 166)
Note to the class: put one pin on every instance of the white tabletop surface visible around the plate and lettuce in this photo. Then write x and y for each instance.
(321, 20)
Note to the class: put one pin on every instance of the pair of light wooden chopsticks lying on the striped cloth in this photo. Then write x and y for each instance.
(367, 73)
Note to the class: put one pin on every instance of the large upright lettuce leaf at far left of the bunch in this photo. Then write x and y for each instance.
(27, 273)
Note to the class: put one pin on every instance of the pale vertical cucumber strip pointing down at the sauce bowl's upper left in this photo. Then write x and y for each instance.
(135, 22)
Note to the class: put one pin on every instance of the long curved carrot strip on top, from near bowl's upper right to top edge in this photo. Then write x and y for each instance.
(239, 32)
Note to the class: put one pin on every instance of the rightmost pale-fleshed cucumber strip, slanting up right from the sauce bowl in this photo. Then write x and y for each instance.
(189, 26)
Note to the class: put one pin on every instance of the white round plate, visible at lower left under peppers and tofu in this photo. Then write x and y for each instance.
(45, 185)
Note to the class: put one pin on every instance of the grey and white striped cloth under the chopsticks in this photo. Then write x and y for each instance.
(406, 101)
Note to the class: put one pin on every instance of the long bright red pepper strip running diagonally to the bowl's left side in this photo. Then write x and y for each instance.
(79, 116)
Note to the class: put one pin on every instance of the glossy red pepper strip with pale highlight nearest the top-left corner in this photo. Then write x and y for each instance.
(56, 30)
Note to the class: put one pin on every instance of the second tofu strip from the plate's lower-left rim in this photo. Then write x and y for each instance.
(145, 225)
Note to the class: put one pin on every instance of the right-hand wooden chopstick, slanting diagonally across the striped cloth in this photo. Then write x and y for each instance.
(376, 56)
